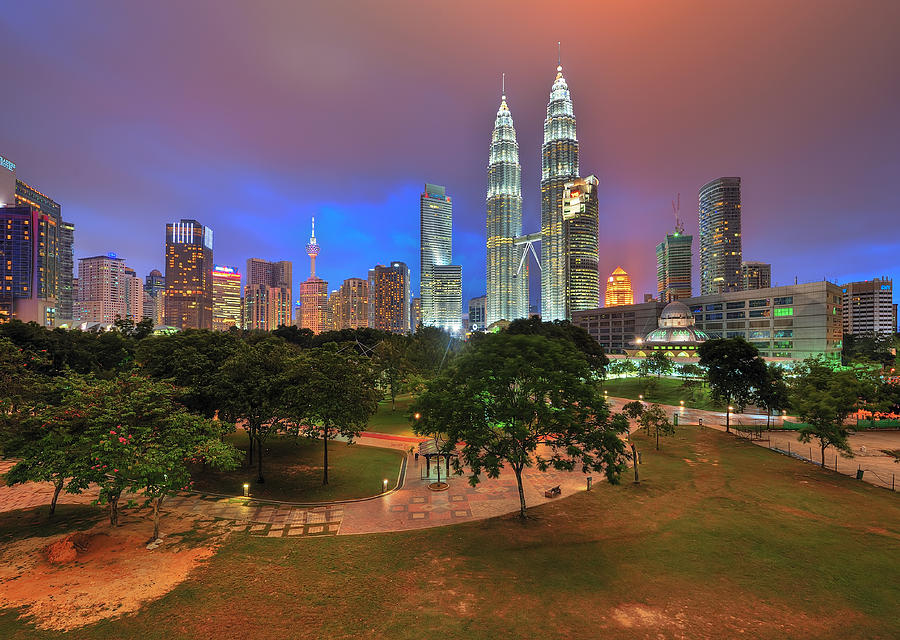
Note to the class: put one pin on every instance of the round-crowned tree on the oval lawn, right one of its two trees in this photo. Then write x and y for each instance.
(334, 394)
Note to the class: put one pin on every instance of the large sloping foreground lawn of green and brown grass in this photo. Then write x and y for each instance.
(721, 539)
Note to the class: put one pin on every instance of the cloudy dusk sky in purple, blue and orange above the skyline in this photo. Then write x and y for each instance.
(126, 173)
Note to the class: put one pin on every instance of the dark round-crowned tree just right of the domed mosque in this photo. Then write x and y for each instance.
(734, 369)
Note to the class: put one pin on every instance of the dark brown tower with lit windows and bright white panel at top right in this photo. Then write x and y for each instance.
(189, 264)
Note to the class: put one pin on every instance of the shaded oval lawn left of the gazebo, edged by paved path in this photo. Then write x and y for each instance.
(293, 467)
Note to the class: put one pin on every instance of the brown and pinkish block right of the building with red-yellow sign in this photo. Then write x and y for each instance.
(269, 290)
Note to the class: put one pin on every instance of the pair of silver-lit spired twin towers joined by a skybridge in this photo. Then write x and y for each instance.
(507, 269)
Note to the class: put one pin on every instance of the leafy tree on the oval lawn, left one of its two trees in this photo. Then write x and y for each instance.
(252, 384)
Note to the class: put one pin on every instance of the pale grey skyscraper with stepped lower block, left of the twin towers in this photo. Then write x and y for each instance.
(436, 218)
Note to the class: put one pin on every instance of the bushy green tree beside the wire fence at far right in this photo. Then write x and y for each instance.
(823, 399)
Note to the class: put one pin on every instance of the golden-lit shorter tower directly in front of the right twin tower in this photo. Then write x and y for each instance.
(581, 233)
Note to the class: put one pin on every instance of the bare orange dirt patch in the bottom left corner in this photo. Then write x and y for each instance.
(78, 579)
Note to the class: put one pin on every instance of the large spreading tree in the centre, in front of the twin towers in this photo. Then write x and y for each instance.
(510, 394)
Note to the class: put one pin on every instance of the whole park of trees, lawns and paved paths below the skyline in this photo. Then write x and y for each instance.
(254, 532)
